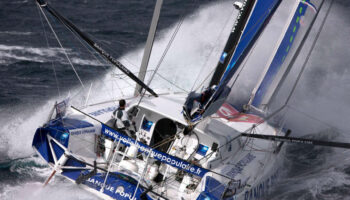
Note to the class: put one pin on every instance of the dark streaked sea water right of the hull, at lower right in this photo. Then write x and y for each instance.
(313, 172)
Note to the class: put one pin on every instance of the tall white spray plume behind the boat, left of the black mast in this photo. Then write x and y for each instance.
(194, 51)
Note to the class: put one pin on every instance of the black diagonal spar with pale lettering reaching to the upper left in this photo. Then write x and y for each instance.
(94, 45)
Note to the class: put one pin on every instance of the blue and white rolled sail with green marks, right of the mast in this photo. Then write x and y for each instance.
(300, 21)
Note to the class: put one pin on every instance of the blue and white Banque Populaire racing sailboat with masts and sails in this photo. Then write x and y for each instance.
(222, 151)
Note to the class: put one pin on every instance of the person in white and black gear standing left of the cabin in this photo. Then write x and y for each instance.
(122, 122)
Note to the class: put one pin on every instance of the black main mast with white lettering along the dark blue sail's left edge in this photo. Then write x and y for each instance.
(233, 40)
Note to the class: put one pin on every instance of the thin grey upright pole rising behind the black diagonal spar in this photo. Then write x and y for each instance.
(149, 45)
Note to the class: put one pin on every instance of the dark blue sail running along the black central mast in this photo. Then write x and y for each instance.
(258, 18)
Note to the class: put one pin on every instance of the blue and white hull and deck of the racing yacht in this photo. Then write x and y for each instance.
(211, 162)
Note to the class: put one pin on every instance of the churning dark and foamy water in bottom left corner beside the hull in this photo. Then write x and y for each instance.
(30, 174)
